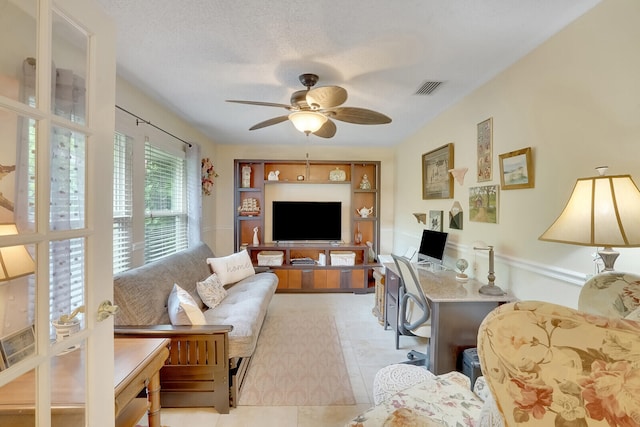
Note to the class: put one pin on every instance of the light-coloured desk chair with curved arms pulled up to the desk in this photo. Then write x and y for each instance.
(414, 312)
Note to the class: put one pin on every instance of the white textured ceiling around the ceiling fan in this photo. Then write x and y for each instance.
(191, 55)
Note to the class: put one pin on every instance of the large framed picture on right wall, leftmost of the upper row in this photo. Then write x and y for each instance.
(437, 183)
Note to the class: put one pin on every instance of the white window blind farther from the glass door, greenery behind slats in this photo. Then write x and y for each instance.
(166, 219)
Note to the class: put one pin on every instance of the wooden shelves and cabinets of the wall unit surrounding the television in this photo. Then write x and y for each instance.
(314, 278)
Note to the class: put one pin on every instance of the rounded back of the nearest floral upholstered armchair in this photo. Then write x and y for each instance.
(548, 365)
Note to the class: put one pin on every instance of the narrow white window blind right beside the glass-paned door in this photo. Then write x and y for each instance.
(122, 202)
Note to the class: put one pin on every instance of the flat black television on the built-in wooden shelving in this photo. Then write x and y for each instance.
(306, 221)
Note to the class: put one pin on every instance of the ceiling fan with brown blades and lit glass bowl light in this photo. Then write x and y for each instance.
(312, 110)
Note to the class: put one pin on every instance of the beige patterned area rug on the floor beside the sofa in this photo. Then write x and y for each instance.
(298, 362)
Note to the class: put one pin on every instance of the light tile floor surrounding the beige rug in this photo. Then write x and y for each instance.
(367, 347)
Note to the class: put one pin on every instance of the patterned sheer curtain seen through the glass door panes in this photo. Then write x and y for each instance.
(67, 186)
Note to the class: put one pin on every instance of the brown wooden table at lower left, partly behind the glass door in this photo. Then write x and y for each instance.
(137, 363)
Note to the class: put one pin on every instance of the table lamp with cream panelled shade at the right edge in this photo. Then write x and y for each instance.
(602, 211)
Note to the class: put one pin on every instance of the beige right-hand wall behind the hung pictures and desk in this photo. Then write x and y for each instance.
(575, 101)
